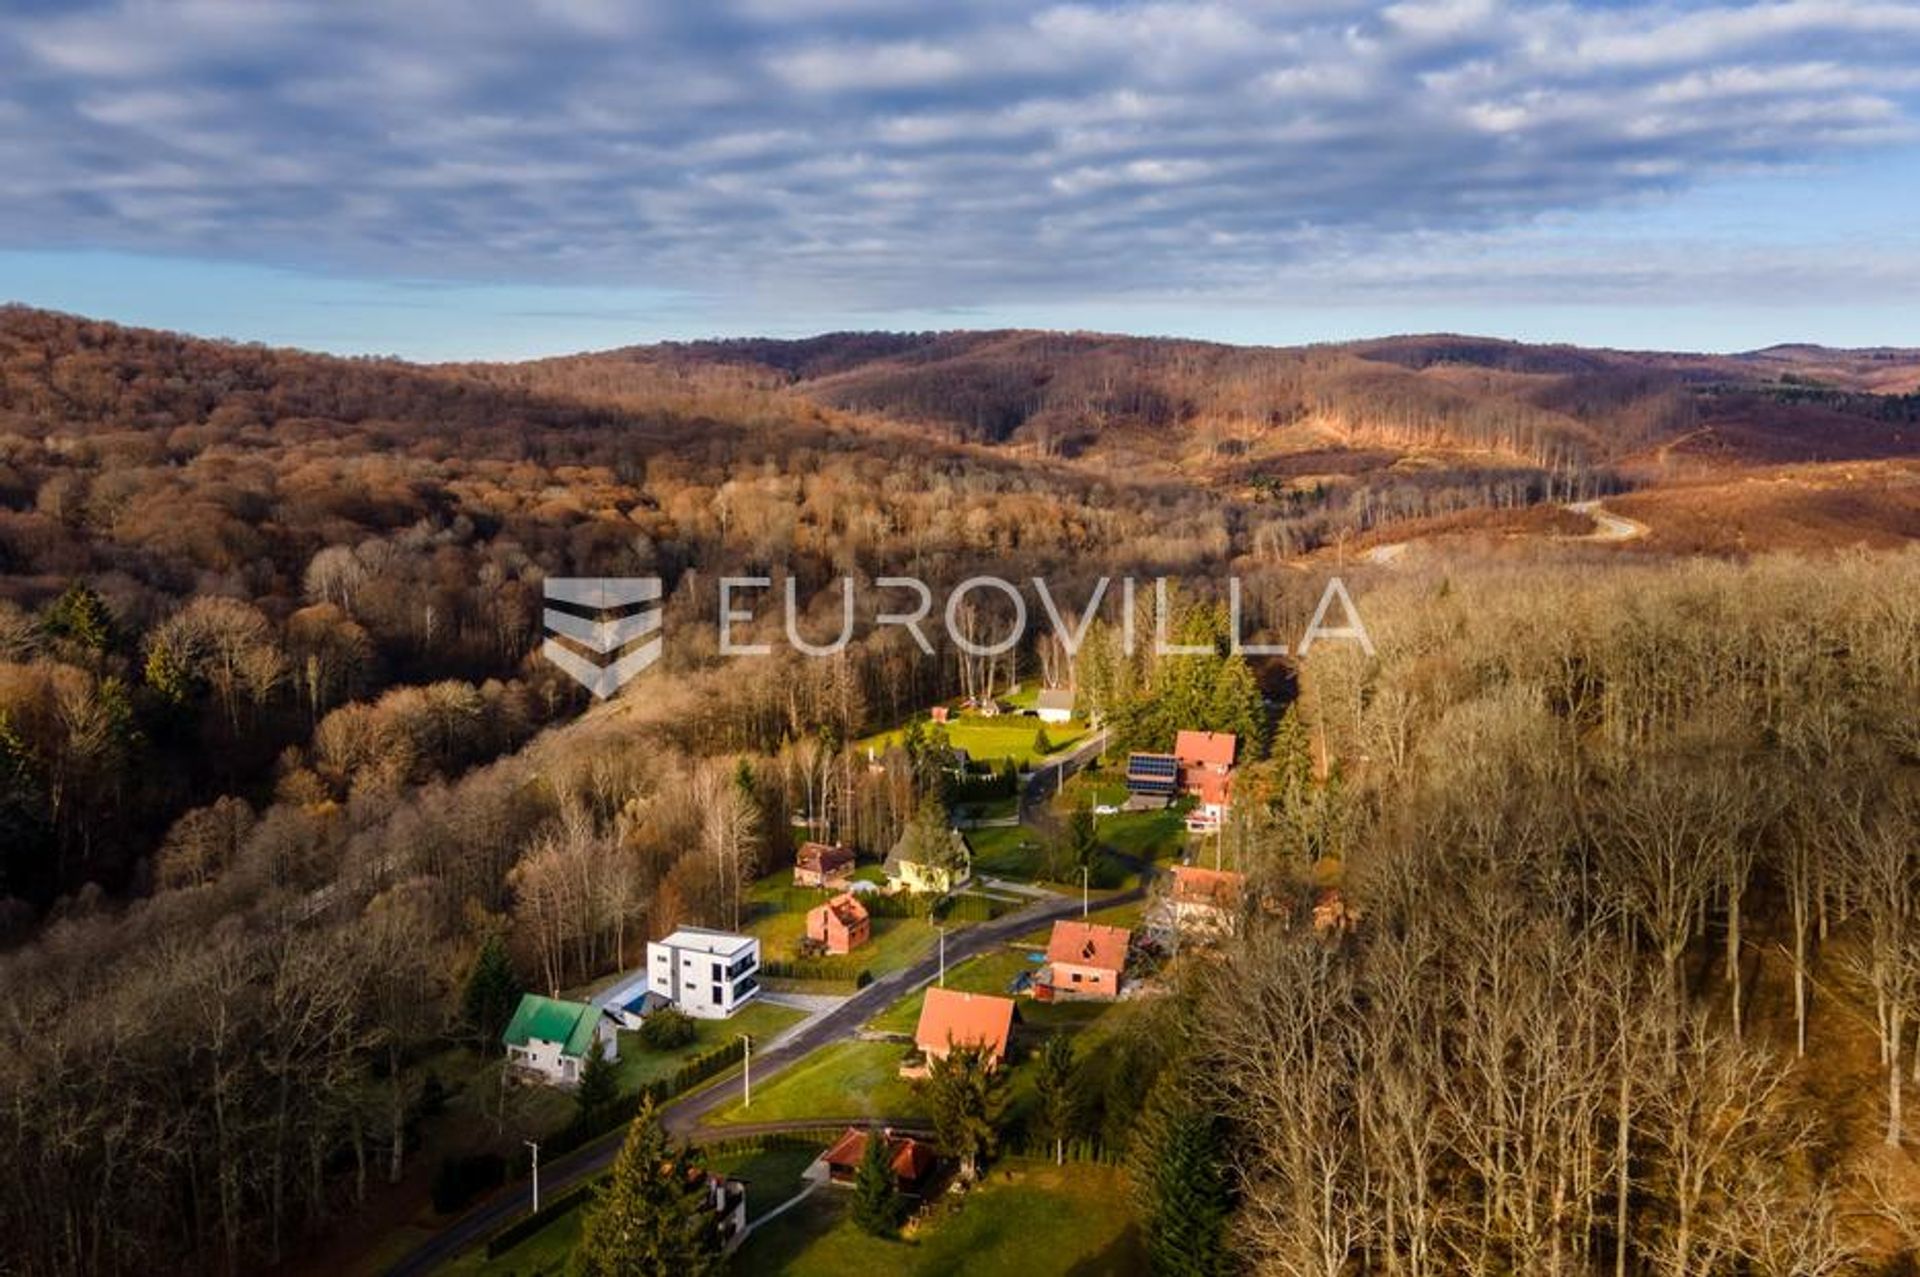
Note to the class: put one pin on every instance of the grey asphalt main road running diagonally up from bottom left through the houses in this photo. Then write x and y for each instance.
(684, 1117)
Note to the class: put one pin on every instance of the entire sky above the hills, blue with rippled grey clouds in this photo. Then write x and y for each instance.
(446, 180)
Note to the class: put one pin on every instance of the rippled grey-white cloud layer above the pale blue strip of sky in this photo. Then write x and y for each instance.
(942, 157)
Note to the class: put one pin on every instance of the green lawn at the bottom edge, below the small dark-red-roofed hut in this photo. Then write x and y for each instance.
(1028, 1220)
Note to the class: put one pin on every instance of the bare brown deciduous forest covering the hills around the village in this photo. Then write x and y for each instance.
(1631, 836)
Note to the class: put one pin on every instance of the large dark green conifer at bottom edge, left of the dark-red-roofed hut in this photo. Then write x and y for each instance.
(654, 1213)
